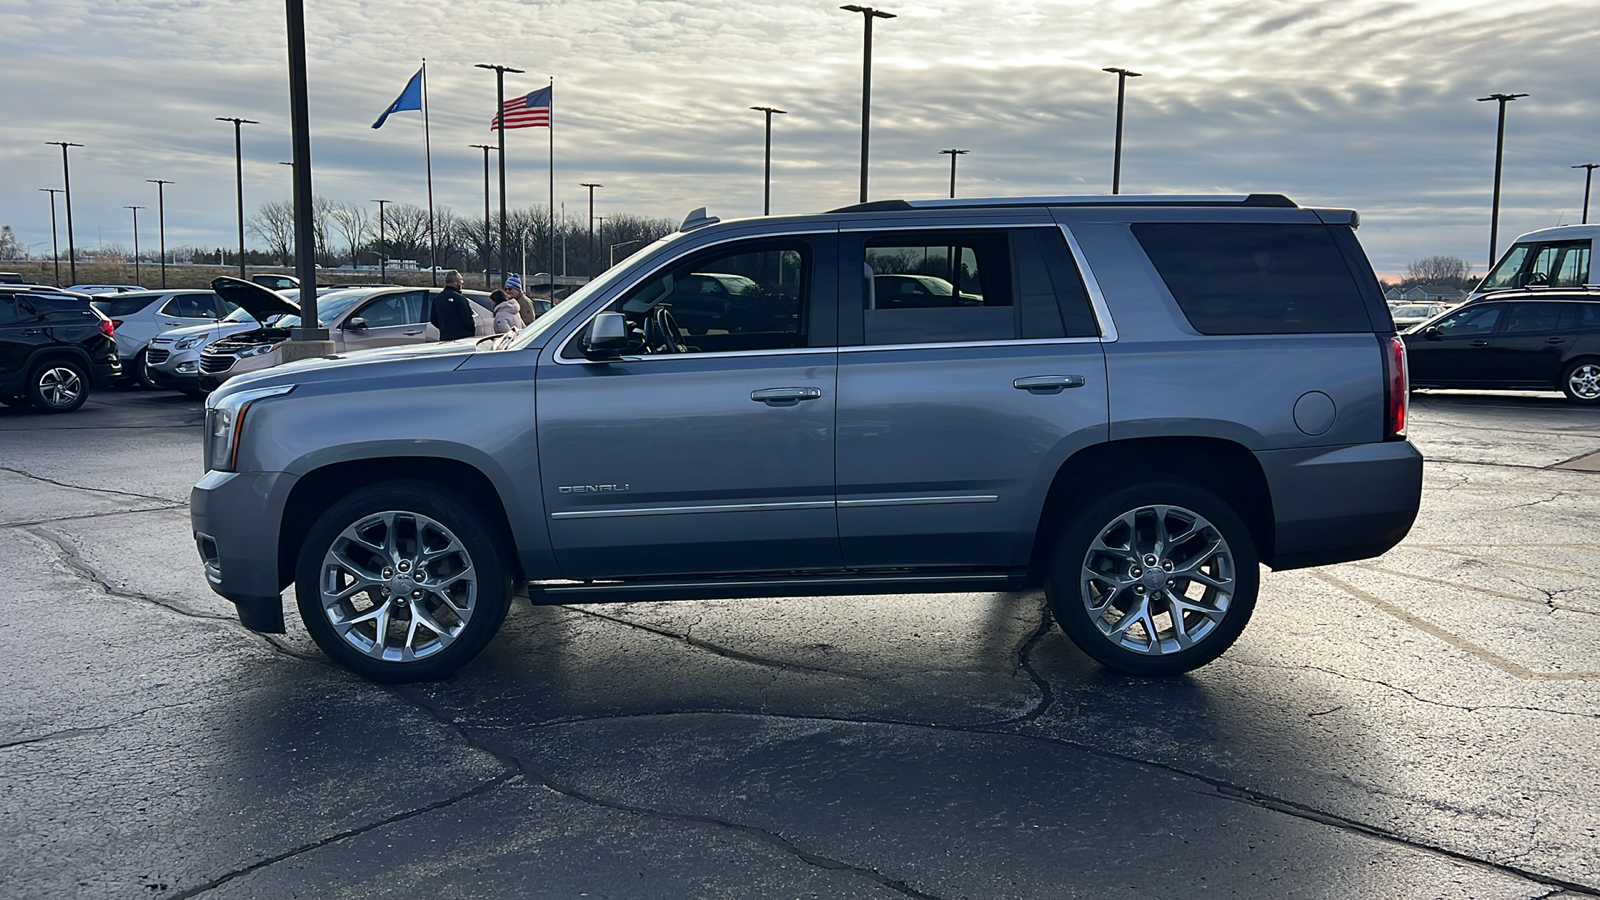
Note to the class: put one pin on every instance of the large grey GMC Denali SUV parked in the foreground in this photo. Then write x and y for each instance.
(1132, 403)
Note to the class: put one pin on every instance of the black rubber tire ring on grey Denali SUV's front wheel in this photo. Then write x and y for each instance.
(490, 558)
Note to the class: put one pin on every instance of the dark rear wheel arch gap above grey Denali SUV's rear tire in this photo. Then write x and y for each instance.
(1218, 465)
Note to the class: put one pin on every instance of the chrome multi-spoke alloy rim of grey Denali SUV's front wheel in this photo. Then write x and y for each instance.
(398, 587)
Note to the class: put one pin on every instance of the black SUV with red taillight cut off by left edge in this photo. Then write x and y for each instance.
(54, 348)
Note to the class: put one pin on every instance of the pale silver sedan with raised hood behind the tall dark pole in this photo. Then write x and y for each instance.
(356, 319)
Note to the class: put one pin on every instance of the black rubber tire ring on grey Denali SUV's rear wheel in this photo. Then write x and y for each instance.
(1066, 598)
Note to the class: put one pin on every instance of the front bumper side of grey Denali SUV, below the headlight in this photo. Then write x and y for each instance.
(236, 523)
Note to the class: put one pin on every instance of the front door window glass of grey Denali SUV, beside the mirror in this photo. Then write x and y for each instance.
(732, 300)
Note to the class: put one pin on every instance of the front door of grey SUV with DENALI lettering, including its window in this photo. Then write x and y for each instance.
(714, 456)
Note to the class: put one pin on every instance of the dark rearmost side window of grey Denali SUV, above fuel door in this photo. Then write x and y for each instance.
(1257, 279)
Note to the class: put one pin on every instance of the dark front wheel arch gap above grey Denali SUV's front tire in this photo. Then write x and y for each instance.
(319, 489)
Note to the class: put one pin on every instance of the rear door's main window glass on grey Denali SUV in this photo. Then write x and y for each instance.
(935, 287)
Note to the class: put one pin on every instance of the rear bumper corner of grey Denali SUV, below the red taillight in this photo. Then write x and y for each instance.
(1343, 504)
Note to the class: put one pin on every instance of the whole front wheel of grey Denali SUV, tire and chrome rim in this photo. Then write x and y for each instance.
(401, 582)
